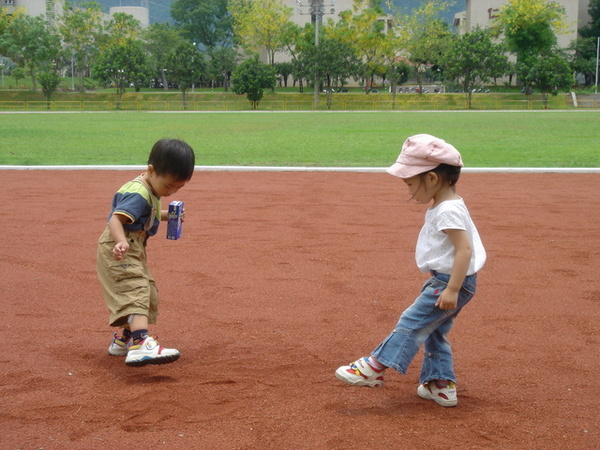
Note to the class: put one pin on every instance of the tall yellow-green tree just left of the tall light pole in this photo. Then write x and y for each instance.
(260, 24)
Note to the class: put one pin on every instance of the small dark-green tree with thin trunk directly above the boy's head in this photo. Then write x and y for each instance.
(186, 67)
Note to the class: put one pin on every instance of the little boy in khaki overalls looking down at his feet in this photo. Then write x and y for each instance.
(128, 287)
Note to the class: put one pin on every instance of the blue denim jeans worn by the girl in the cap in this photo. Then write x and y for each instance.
(423, 323)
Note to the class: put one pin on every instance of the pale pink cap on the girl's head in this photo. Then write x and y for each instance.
(422, 153)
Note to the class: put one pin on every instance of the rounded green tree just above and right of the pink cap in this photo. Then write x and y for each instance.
(473, 59)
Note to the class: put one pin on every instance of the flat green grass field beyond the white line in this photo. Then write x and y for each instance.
(370, 139)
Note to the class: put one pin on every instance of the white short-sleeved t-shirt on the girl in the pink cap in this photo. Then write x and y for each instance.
(434, 248)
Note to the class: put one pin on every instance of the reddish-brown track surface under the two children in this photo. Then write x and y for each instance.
(279, 279)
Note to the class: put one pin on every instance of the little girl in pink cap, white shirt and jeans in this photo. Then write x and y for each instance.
(450, 249)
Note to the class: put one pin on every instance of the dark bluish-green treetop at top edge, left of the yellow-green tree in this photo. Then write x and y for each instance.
(204, 21)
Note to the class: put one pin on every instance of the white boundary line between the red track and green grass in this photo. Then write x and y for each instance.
(314, 169)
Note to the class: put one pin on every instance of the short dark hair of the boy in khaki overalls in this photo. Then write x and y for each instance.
(173, 157)
